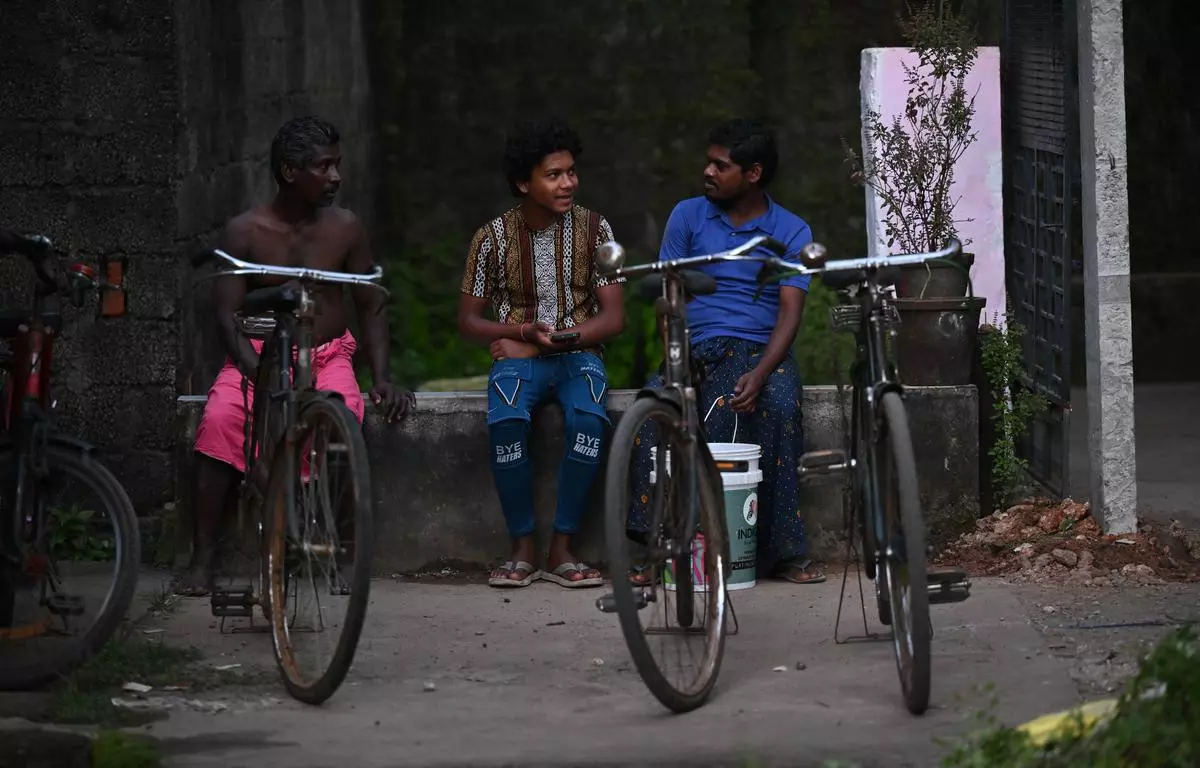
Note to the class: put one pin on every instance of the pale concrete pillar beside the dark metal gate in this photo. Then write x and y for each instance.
(1106, 219)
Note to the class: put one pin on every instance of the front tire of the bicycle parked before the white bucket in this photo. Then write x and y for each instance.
(712, 521)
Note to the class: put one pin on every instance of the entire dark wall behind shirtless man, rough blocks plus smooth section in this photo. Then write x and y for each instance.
(135, 129)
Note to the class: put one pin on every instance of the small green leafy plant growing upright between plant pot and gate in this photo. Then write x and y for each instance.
(1013, 405)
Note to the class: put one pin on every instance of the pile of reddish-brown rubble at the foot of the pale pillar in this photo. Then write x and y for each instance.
(1048, 542)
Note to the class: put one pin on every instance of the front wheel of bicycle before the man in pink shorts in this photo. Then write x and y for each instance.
(320, 542)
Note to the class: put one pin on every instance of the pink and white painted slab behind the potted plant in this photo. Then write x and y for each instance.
(979, 179)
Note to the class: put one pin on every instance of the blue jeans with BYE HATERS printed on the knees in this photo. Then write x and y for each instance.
(580, 385)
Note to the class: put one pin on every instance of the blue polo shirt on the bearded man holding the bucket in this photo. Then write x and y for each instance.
(698, 227)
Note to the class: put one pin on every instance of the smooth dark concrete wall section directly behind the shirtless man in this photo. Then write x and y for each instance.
(244, 70)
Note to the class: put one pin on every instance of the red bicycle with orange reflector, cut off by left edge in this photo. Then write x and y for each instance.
(46, 628)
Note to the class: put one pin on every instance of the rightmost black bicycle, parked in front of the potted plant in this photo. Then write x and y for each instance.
(883, 484)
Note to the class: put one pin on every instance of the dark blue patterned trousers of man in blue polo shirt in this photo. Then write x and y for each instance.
(775, 425)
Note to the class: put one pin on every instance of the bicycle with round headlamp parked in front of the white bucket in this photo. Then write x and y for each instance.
(687, 502)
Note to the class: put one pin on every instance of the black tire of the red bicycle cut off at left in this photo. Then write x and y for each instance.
(112, 495)
